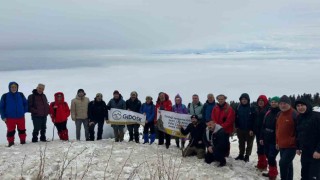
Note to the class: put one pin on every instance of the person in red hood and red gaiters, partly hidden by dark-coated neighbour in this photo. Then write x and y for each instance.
(263, 107)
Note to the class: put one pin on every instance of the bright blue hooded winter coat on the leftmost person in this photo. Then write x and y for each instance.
(13, 105)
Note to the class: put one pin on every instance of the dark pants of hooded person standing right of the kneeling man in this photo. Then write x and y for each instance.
(244, 137)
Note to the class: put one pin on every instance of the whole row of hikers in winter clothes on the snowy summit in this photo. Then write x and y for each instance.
(276, 126)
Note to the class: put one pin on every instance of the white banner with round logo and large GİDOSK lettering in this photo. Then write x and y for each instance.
(123, 117)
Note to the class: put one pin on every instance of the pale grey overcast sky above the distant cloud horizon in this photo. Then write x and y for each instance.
(157, 25)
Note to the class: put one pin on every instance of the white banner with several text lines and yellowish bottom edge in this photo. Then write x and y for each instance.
(169, 122)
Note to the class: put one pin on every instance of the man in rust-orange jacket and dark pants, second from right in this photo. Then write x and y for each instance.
(286, 137)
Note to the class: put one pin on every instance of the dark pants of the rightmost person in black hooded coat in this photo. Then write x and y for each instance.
(310, 167)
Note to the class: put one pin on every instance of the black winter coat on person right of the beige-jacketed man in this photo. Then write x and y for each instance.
(97, 111)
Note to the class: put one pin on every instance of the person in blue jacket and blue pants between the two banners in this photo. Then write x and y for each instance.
(148, 109)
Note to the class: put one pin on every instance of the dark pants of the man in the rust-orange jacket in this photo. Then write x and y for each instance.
(286, 166)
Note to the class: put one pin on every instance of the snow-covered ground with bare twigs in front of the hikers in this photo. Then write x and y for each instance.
(108, 160)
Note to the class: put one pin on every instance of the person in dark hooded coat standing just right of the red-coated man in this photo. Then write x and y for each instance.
(245, 115)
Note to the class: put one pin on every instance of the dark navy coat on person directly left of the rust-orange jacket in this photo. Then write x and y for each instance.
(268, 130)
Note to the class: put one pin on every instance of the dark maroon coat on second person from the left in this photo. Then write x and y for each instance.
(38, 104)
